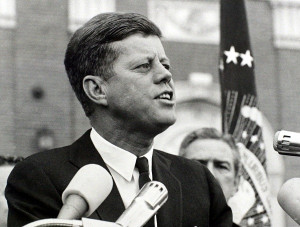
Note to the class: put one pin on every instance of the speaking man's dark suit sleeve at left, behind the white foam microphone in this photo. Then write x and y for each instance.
(30, 195)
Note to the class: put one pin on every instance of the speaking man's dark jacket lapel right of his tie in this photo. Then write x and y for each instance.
(171, 212)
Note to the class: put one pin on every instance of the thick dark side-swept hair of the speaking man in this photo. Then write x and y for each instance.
(90, 50)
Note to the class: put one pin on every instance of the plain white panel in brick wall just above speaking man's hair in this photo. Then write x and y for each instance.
(81, 11)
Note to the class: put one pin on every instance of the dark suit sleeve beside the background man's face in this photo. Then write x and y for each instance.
(220, 212)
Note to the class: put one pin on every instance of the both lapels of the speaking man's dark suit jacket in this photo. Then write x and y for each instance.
(83, 152)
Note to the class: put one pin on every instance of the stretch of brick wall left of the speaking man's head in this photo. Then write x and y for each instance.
(34, 52)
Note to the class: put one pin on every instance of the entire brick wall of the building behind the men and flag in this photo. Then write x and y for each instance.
(32, 58)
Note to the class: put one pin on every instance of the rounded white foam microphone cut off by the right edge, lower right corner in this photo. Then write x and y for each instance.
(289, 198)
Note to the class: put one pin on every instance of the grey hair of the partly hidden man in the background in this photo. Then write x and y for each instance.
(212, 133)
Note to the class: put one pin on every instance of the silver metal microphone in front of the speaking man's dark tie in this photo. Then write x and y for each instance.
(147, 202)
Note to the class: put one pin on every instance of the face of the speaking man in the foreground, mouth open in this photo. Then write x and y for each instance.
(141, 93)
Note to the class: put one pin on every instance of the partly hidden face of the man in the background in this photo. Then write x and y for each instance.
(217, 156)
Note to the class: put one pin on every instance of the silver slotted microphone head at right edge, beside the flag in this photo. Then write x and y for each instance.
(287, 143)
